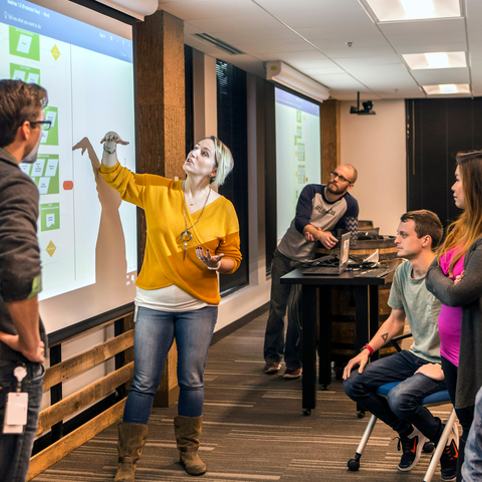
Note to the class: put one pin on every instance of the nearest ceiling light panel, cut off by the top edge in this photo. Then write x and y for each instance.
(396, 10)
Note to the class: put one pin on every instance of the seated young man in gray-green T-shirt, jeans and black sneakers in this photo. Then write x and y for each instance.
(418, 369)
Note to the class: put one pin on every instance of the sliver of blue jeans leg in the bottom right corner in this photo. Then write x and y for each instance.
(472, 468)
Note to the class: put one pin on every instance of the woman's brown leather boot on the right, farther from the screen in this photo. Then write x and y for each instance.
(188, 430)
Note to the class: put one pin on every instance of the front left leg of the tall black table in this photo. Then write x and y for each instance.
(309, 348)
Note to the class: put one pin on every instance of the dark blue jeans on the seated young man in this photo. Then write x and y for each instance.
(402, 407)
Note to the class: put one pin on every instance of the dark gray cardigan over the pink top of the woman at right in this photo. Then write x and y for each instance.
(467, 294)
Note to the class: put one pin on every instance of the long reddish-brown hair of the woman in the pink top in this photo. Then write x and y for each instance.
(468, 228)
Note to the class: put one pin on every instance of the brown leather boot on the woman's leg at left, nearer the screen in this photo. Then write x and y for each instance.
(132, 437)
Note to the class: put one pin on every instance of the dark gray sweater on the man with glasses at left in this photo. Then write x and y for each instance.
(19, 249)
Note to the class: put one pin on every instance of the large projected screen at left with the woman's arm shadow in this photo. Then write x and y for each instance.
(88, 73)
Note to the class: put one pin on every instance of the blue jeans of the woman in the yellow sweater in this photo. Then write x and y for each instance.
(153, 336)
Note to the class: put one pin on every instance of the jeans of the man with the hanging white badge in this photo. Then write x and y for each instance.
(16, 449)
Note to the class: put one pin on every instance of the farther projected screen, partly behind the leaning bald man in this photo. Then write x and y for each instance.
(298, 153)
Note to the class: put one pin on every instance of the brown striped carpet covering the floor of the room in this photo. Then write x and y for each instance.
(253, 430)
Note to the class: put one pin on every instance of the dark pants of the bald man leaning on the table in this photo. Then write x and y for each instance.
(282, 296)
